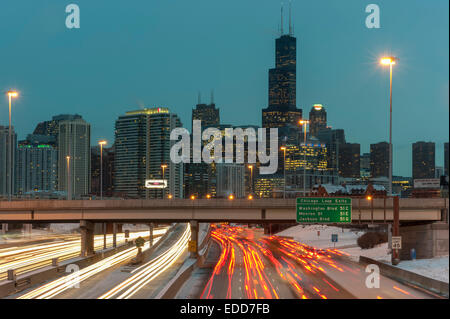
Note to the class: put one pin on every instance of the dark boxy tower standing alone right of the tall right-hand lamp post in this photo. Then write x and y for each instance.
(423, 154)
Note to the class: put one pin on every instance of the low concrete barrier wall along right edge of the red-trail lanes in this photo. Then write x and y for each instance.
(406, 276)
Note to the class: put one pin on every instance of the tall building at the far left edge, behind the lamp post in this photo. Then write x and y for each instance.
(4, 155)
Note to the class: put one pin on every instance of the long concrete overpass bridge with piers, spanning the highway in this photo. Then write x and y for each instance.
(261, 211)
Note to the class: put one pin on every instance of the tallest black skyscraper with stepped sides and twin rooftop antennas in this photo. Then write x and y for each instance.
(282, 109)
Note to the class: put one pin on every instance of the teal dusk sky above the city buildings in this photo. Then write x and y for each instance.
(131, 54)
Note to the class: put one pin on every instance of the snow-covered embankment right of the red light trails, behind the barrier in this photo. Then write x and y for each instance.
(436, 268)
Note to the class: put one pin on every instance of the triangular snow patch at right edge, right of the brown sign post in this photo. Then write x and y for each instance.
(436, 268)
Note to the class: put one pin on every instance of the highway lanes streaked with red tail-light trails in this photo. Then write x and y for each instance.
(275, 267)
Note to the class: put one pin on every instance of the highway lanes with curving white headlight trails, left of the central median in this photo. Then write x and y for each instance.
(106, 280)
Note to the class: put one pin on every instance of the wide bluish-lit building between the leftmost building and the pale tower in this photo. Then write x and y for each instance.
(37, 164)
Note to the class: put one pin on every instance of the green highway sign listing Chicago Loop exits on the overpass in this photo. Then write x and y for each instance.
(324, 210)
